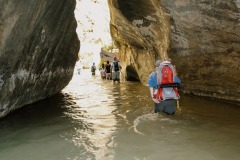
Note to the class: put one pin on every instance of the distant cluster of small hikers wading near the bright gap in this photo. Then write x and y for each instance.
(109, 71)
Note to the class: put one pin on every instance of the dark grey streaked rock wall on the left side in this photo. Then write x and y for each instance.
(38, 50)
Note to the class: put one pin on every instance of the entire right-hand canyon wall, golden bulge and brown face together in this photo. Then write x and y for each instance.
(200, 36)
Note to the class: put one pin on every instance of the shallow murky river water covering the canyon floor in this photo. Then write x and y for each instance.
(94, 119)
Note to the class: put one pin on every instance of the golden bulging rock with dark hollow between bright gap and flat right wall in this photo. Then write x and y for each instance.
(141, 31)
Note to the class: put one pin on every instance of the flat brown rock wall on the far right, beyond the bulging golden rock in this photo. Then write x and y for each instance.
(205, 46)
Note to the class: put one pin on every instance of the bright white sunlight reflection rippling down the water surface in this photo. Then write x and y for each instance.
(93, 107)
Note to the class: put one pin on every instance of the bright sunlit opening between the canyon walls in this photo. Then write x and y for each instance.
(93, 30)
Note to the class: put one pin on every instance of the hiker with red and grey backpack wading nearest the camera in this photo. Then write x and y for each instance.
(163, 85)
